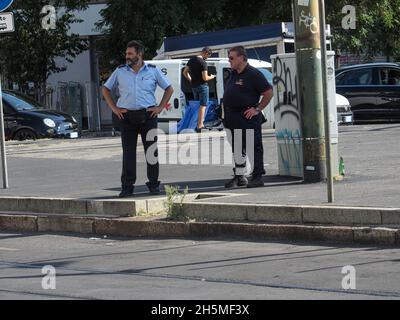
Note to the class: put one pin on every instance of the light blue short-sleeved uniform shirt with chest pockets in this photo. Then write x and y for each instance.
(137, 90)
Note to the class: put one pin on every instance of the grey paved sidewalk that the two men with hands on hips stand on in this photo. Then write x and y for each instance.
(90, 169)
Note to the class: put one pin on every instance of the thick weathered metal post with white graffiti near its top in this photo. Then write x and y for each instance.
(309, 70)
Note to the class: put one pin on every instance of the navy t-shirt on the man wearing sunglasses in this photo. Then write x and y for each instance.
(244, 90)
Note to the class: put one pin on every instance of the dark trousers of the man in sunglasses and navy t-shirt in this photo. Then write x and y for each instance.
(237, 121)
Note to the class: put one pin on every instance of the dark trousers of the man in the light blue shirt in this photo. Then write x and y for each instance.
(133, 124)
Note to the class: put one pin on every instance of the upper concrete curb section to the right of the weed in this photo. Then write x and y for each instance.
(301, 214)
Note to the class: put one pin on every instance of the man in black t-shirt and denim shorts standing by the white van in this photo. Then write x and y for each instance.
(196, 72)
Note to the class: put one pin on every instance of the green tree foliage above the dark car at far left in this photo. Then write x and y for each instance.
(29, 53)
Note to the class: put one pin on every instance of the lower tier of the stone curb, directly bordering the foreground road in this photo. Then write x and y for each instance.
(130, 227)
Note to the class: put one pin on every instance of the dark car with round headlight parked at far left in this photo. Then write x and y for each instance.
(26, 119)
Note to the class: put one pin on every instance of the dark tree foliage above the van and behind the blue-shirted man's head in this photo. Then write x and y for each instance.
(152, 20)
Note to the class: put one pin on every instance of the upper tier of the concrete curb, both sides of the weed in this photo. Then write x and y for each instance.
(201, 210)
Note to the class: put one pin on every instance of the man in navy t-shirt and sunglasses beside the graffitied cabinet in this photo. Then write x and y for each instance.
(243, 112)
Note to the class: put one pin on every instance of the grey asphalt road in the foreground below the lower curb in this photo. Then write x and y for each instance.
(190, 269)
